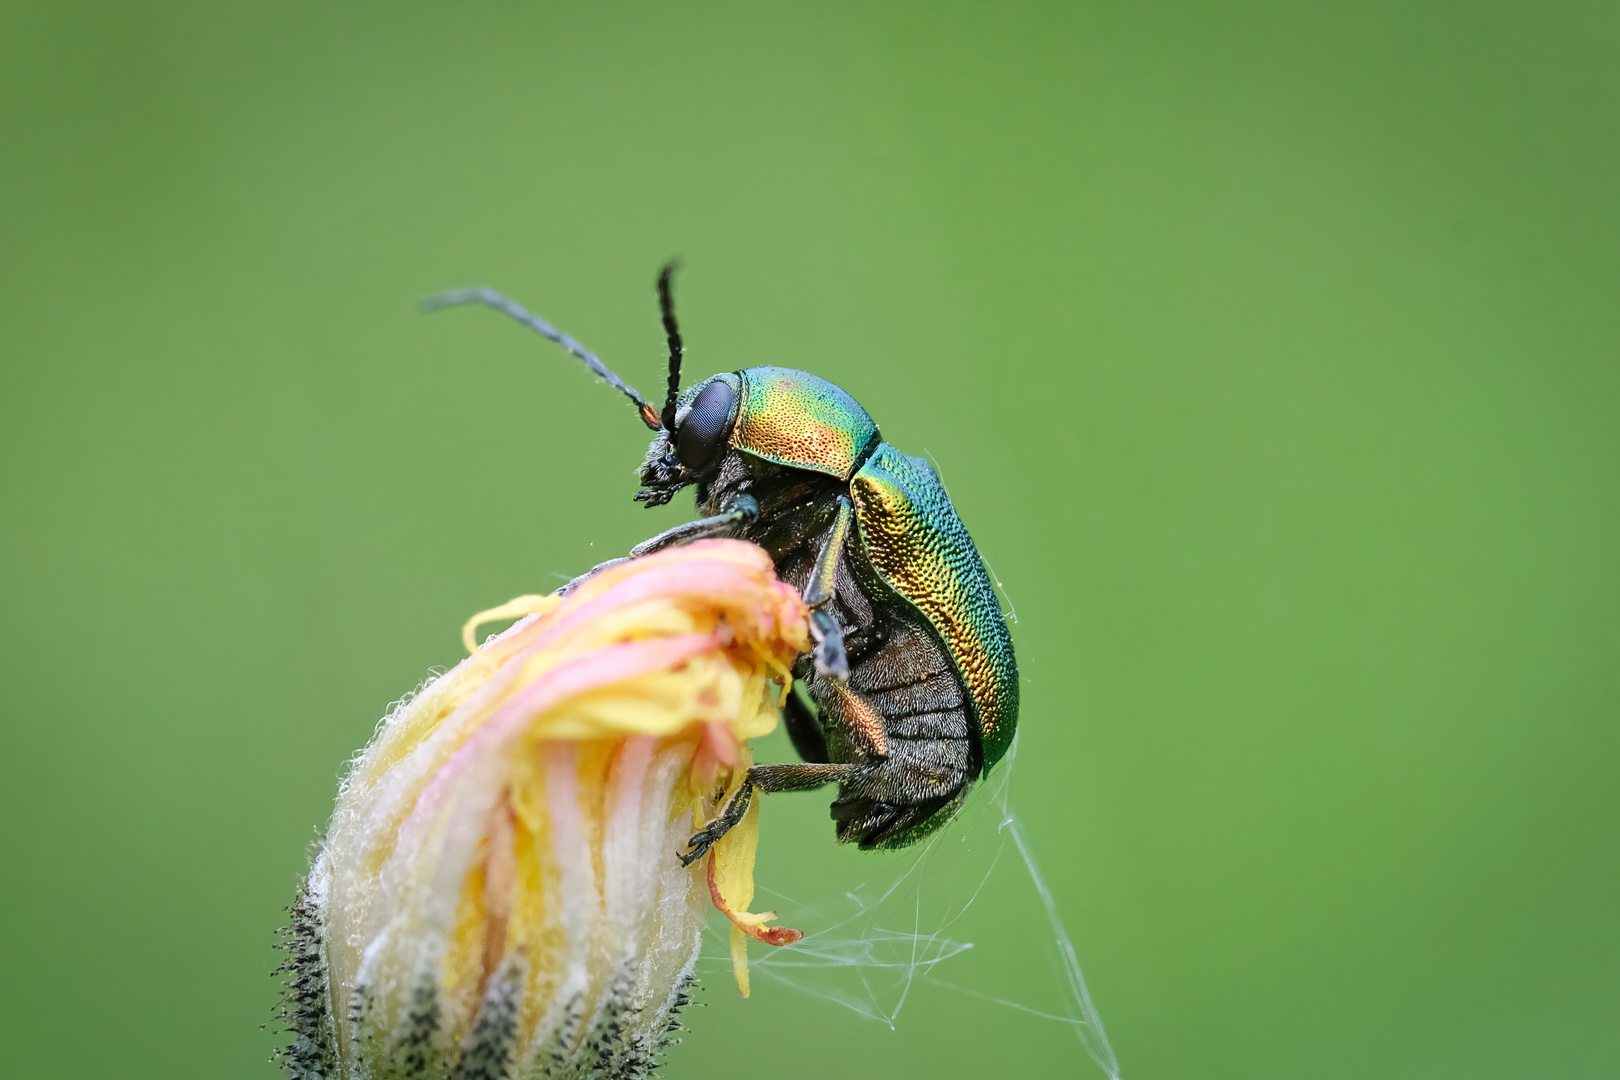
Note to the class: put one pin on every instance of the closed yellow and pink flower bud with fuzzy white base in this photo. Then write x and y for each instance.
(500, 891)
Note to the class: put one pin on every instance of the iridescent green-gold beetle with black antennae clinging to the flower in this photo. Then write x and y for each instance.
(911, 691)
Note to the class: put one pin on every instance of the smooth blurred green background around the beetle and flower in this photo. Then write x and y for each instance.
(1269, 352)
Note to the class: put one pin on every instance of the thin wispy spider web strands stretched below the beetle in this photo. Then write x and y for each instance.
(937, 916)
